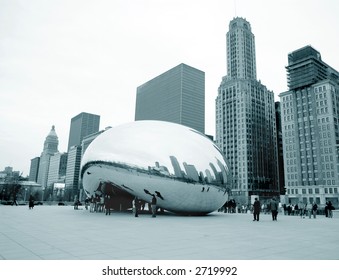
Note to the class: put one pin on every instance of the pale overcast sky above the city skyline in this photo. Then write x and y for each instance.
(60, 58)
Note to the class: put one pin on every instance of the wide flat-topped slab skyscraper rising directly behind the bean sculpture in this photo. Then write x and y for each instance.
(177, 96)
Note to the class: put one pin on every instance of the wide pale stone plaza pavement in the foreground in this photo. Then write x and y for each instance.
(62, 233)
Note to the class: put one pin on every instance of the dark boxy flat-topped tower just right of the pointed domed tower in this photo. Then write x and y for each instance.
(81, 126)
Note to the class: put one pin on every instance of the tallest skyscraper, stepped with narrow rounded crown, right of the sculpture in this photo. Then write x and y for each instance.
(245, 119)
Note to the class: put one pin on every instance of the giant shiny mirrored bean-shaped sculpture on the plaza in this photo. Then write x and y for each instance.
(180, 166)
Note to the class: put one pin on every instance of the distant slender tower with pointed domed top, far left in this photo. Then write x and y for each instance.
(50, 148)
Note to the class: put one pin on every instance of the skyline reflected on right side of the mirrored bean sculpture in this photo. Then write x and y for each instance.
(191, 174)
